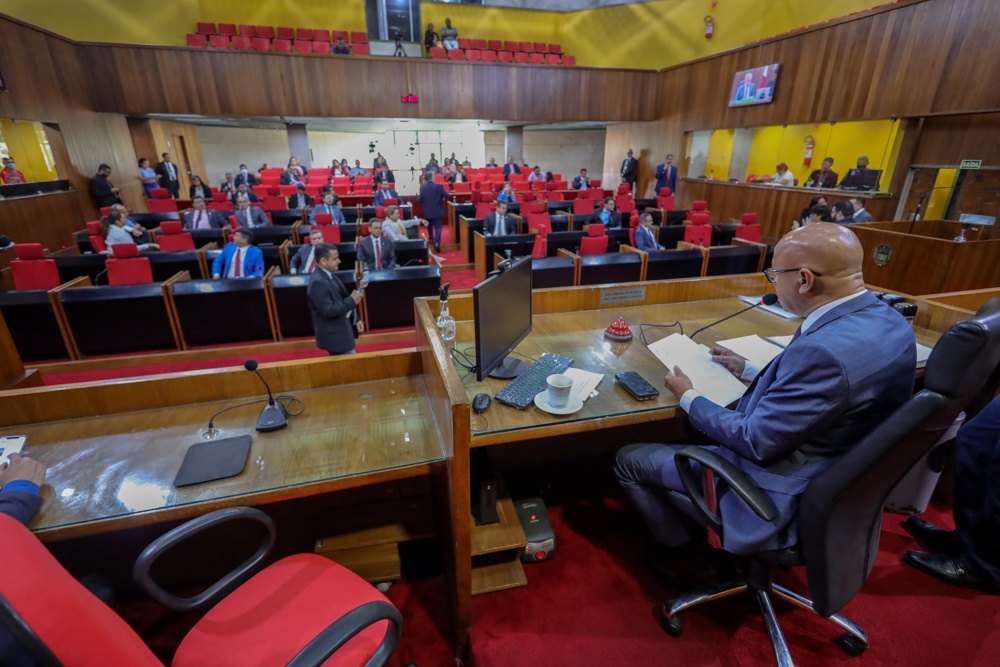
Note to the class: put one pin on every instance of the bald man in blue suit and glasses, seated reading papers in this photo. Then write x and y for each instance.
(847, 368)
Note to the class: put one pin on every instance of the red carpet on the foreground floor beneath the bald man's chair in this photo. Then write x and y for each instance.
(592, 605)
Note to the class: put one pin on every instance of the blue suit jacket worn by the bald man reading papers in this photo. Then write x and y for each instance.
(819, 397)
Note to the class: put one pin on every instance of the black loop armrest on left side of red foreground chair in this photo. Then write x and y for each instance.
(218, 590)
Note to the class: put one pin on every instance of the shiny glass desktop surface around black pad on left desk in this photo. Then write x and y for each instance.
(119, 467)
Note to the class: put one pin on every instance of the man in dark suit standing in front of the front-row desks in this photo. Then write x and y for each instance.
(334, 310)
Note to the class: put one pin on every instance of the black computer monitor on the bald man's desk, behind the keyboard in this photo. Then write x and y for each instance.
(502, 306)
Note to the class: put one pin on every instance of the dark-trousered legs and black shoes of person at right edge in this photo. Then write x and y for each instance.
(968, 556)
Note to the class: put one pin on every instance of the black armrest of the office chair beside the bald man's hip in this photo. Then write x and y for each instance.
(737, 480)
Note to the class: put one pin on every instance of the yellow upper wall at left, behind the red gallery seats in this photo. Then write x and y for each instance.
(159, 22)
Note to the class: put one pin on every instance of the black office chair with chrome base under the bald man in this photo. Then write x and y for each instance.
(840, 515)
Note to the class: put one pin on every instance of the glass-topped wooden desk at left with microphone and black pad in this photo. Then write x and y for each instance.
(113, 449)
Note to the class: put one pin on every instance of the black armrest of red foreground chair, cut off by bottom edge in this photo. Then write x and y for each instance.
(338, 633)
